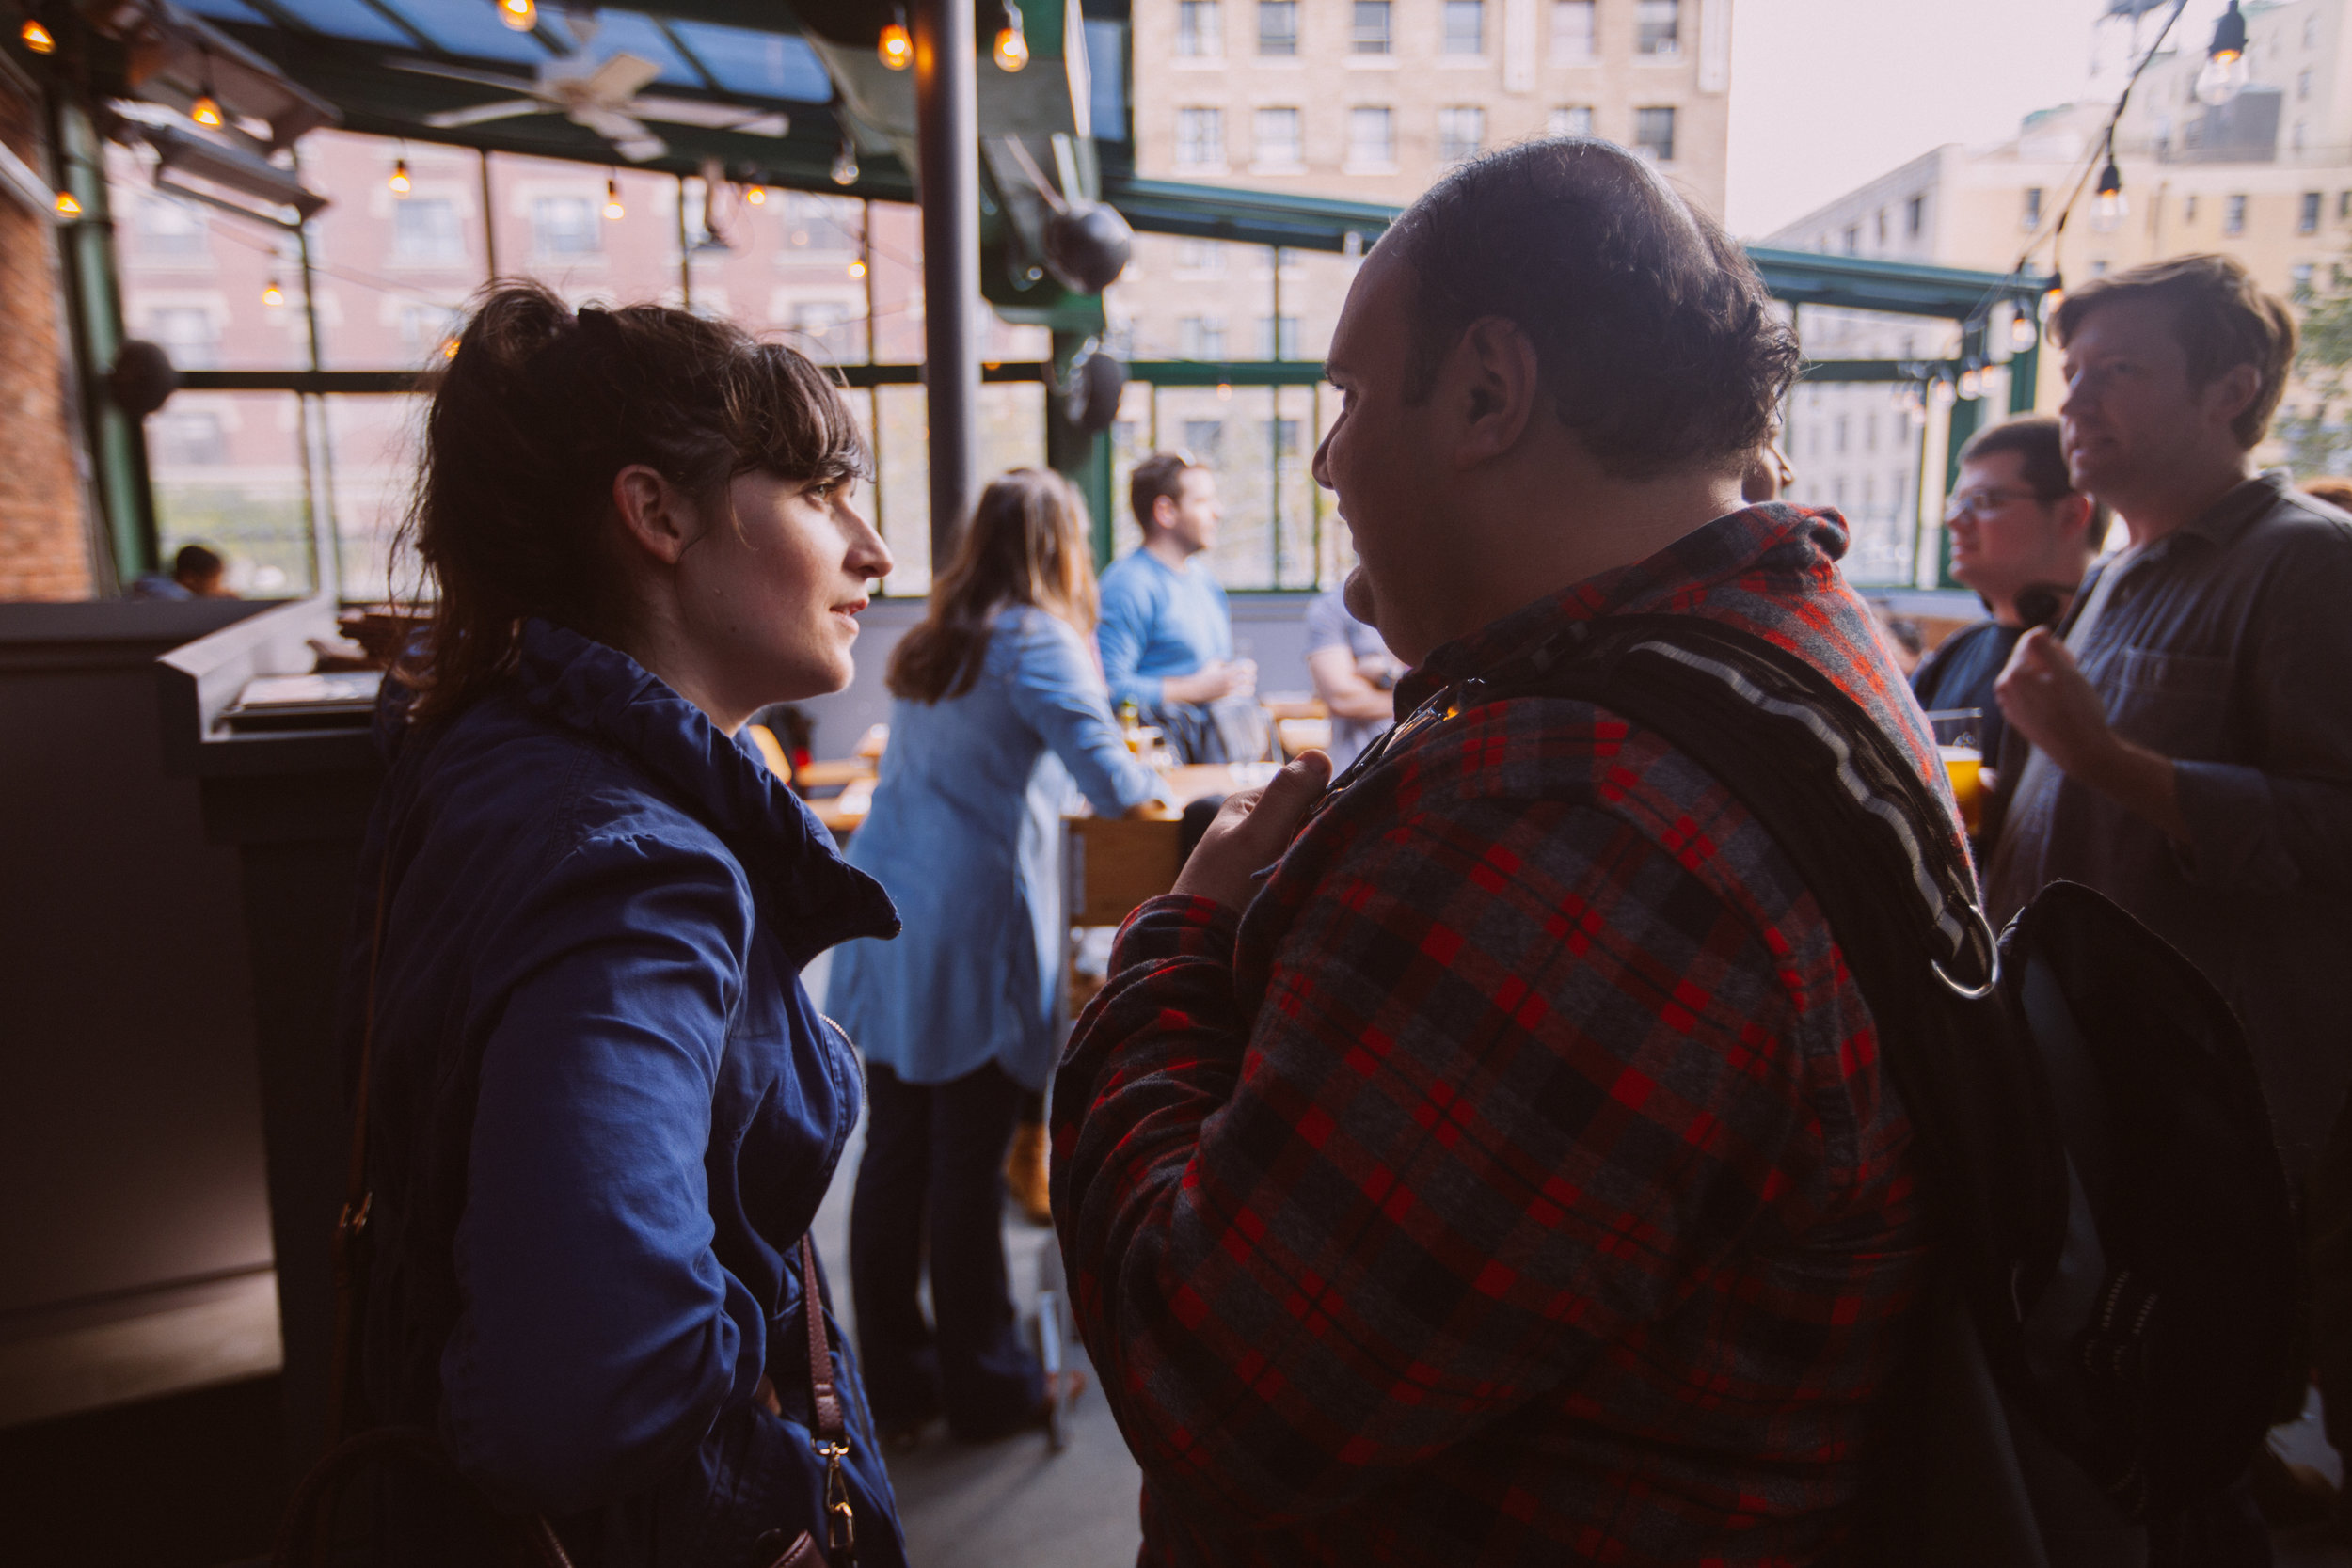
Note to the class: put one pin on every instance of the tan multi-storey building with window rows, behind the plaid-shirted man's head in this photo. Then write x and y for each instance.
(1368, 100)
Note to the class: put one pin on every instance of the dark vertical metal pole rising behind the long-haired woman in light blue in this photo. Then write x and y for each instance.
(949, 177)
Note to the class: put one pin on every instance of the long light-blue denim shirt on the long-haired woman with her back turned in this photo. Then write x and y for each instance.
(965, 833)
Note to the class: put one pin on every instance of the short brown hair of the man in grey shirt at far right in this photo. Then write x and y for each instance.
(2221, 319)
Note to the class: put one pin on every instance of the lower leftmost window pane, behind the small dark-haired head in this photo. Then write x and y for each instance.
(229, 476)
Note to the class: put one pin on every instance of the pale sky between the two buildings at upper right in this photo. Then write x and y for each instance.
(1829, 95)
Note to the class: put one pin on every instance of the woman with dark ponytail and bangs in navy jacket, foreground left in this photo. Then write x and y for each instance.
(601, 1108)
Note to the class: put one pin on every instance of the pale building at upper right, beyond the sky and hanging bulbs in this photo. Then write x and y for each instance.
(2266, 177)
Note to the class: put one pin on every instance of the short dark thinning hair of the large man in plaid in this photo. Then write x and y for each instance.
(1655, 337)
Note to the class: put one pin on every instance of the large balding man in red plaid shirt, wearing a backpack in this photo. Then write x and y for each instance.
(1509, 1177)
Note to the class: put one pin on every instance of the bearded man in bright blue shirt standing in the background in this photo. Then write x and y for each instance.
(1165, 634)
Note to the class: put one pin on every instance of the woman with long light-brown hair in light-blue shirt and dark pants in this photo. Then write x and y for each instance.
(1001, 709)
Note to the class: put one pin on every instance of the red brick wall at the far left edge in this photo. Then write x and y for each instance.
(44, 547)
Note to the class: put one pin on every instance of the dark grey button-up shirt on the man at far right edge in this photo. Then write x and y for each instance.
(2226, 648)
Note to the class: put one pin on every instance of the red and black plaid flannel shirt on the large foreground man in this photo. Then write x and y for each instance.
(1514, 1184)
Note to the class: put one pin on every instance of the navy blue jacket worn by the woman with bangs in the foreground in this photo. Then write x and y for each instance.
(603, 1115)
